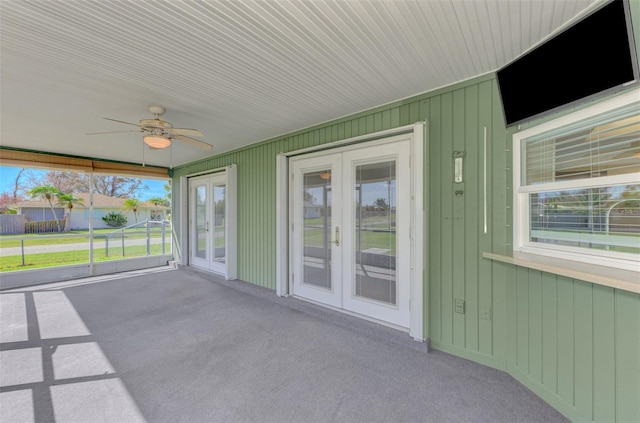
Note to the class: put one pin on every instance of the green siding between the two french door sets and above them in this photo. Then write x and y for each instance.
(257, 179)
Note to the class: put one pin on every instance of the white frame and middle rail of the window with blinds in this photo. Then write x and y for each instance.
(521, 210)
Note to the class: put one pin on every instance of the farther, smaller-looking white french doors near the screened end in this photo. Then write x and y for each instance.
(212, 222)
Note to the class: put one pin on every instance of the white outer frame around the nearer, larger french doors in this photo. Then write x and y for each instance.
(416, 133)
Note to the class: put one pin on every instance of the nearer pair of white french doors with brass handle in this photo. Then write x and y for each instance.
(350, 236)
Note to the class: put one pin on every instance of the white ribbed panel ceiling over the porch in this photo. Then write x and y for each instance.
(240, 71)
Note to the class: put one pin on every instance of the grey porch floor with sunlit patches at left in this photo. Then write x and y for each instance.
(177, 345)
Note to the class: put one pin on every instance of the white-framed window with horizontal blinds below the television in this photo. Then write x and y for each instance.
(578, 184)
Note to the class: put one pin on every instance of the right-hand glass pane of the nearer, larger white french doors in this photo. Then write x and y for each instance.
(375, 232)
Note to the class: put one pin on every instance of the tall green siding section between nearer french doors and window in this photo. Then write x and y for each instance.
(456, 239)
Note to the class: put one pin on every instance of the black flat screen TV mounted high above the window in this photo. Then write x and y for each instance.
(592, 57)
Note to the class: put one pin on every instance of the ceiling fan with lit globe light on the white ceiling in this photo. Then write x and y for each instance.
(159, 133)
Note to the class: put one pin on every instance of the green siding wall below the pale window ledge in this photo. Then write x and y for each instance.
(576, 344)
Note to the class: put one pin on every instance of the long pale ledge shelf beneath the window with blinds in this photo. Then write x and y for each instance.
(627, 280)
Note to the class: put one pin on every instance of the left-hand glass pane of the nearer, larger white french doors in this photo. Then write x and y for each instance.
(316, 238)
